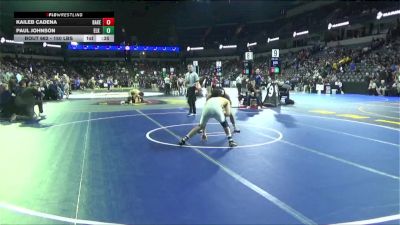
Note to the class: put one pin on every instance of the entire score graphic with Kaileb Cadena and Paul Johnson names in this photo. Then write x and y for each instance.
(64, 26)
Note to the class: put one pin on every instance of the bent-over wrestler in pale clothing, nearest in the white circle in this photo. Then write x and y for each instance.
(218, 108)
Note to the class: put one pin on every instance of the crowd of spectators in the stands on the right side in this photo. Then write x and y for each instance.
(328, 65)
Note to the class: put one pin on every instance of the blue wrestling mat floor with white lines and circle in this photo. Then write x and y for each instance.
(325, 160)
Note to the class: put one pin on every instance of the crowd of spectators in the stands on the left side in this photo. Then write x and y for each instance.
(83, 74)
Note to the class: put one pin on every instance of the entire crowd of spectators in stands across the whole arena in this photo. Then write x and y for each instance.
(376, 64)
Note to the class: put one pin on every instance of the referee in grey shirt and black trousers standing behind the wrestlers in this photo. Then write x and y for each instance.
(192, 80)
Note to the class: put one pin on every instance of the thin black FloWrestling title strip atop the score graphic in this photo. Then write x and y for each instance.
(63, 14)
